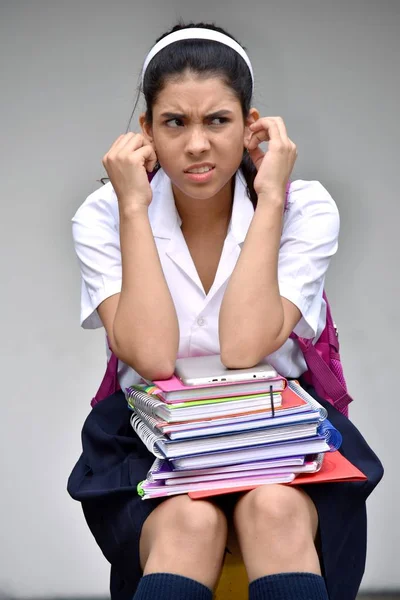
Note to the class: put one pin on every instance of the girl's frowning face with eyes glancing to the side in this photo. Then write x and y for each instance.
(198, 132)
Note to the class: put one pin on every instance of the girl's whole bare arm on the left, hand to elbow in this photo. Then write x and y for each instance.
(141, 321)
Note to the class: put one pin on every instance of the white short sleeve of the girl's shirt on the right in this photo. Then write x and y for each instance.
(309, 240)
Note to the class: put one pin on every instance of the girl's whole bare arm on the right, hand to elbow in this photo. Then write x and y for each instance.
(254, 319)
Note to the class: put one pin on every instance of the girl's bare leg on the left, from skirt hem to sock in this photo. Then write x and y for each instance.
(184, 537)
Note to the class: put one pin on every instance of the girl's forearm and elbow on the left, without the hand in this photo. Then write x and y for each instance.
(141, 321)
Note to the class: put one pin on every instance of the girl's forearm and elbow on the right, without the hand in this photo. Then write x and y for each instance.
(254, 319)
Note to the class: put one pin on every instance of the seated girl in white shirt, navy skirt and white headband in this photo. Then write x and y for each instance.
(206, 260)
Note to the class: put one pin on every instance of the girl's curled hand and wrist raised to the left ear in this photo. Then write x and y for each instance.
(127, 162)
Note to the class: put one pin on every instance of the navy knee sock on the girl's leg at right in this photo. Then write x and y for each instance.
(288, 586)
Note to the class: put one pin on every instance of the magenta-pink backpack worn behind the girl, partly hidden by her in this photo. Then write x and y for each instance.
(324, 372)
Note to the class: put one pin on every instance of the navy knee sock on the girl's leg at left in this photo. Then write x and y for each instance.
(171, 587)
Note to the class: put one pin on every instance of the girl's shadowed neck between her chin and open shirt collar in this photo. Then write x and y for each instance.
(207, 213)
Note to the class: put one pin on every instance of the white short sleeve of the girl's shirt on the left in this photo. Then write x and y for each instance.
(95, 231)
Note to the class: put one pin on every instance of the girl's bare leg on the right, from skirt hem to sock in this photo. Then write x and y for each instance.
(276, 527)
